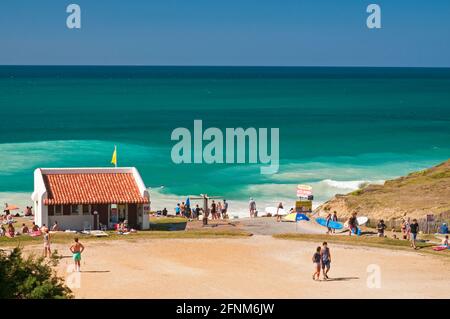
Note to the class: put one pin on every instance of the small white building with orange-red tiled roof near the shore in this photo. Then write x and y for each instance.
(80, 198)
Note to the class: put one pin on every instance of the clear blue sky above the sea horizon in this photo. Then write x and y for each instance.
(231, 32)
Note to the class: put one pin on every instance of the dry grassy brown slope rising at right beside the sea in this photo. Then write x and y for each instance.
(415, 195)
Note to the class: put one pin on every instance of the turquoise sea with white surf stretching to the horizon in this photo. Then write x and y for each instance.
(339, 127)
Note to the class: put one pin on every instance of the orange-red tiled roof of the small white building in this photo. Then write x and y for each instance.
(92, 188)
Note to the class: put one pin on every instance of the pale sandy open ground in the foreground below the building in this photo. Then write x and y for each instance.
(259, 266)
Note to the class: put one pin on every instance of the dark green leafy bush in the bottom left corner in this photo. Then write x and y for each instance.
(30, 278)
